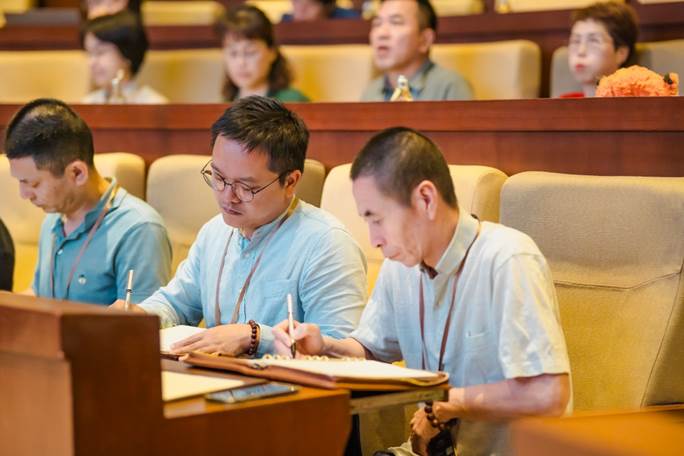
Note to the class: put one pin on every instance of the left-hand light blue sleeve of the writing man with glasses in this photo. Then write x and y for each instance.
(180, 302)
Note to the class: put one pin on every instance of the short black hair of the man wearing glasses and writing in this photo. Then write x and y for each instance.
(264, 125)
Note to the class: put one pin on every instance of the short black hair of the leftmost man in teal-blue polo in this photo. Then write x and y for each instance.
(51, 133)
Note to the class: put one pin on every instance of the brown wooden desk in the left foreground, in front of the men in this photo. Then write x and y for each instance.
(80, 380)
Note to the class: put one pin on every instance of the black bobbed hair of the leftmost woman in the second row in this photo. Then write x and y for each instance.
(125, 31)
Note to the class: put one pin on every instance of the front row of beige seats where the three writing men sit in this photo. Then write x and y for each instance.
(614, 246)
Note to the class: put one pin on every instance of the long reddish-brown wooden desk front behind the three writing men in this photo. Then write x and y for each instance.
(619, 136)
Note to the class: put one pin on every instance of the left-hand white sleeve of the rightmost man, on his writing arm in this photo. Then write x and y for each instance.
(377, 331)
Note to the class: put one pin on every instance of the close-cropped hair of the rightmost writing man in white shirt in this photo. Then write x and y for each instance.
(401, 158)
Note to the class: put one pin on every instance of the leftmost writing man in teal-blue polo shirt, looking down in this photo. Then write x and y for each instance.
(95, 231)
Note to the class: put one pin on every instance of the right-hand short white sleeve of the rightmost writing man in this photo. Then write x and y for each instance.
(531, 340)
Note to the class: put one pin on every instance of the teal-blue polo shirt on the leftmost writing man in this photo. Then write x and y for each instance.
(131, 236)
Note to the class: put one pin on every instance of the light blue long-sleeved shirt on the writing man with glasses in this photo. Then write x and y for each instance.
(311, 256)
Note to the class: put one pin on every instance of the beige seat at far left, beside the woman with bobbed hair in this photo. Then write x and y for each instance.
(25, 75)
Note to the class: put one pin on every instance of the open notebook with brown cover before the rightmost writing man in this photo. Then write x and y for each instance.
(323, 372)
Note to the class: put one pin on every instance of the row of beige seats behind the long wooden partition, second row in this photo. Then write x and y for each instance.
(497, 70)
